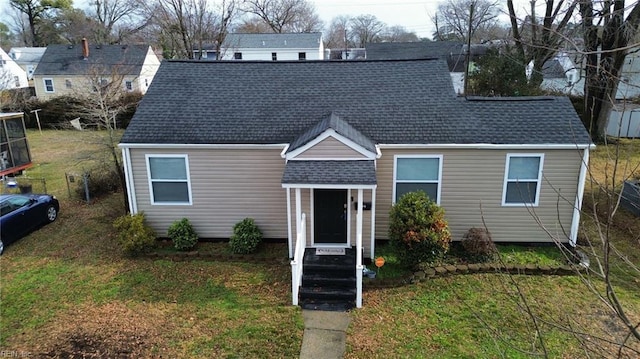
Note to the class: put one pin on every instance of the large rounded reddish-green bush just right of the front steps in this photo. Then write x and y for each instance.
(418, 229)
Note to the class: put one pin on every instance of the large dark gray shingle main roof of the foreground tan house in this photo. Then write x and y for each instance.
(389, 102)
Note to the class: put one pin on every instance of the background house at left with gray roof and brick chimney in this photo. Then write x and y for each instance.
(72, 69)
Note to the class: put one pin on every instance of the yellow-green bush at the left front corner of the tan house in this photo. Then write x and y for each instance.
(134, 236)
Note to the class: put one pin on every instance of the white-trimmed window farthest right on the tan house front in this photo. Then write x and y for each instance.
(522, 179)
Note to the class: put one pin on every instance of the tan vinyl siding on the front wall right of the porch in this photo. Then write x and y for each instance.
(472, 184)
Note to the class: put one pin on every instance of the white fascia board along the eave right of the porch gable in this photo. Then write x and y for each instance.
(489, 146)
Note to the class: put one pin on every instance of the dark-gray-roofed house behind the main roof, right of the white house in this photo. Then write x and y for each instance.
(452, 51)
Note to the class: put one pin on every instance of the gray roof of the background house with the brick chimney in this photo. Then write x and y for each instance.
(68, 59)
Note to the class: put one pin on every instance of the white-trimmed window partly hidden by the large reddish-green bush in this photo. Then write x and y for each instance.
(417, 172)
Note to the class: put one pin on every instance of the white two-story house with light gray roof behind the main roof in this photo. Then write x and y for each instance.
(267, 47)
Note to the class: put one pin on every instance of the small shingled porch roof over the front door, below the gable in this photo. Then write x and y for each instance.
(330, 174)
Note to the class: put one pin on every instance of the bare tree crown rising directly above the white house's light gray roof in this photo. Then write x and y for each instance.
(285, 15)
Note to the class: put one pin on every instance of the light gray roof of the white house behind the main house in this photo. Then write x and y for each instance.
(273, 41)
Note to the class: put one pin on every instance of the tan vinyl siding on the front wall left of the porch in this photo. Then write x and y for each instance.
(227, 186)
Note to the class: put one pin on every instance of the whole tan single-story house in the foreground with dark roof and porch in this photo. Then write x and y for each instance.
(341, 141)
